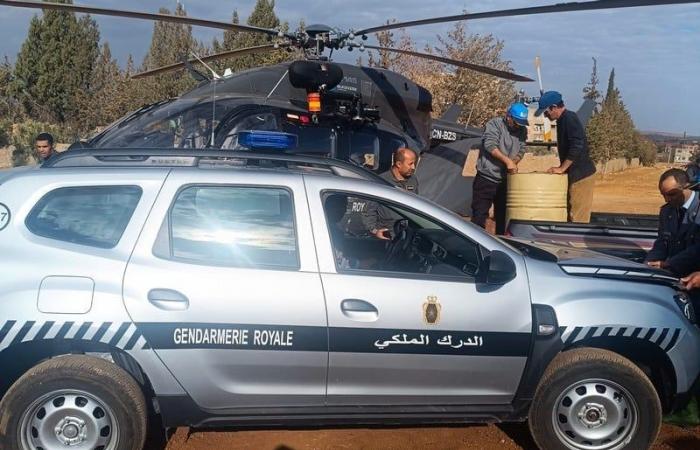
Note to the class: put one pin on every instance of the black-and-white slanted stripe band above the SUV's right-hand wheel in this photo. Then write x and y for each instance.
(665, 338)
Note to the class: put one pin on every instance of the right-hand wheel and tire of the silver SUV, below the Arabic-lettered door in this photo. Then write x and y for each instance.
(593, 398)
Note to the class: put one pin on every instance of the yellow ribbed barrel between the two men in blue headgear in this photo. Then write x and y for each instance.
(537, 196)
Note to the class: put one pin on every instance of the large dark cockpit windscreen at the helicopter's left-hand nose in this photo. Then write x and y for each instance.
(183, 123)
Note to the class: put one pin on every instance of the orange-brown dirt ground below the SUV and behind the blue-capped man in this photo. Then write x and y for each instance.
(632, 191)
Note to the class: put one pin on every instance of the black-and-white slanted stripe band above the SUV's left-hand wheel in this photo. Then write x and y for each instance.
(123, 335)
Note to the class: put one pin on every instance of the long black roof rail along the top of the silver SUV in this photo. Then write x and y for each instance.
(207, 158)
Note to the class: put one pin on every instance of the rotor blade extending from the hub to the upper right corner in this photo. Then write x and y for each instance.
(559, 7)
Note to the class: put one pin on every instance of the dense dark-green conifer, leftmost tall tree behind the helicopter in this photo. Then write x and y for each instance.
(55, 64)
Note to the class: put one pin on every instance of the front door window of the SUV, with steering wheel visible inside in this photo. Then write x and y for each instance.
(397, 240)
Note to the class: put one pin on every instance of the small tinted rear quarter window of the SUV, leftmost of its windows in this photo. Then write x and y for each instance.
(87, 215)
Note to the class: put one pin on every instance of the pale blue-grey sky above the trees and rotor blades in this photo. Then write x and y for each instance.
(655, 50)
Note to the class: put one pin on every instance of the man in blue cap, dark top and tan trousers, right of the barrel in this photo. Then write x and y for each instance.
(574, 158)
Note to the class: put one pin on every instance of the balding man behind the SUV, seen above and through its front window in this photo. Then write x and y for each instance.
(379, 220)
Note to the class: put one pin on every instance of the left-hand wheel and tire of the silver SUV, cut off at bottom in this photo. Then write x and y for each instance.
(74, 400)
